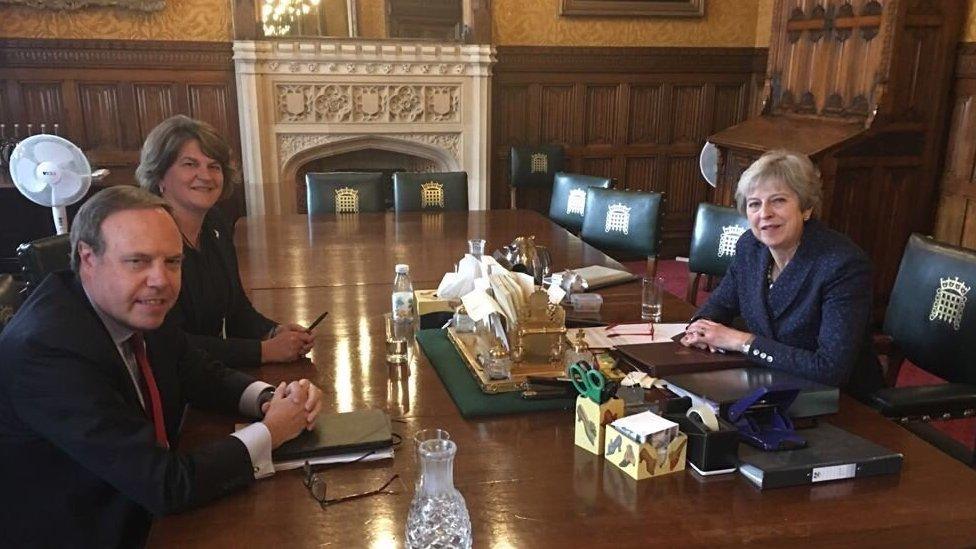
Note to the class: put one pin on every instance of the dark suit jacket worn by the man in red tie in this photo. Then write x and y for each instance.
(78, 459)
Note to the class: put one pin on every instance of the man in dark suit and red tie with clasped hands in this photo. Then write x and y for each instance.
(93, 384)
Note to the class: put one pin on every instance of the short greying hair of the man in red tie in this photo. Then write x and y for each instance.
(87, 225)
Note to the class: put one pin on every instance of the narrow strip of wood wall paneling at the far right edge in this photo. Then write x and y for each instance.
(956, 219)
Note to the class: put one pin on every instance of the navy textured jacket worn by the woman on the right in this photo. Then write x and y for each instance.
(814, 320)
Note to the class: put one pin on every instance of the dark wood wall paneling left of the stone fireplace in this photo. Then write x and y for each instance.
(105, 96)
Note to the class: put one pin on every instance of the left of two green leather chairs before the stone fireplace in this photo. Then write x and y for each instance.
(344, 192)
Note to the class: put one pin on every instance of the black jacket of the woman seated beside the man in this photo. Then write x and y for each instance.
(199, 311)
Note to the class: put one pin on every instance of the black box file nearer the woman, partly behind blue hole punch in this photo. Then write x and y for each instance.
(722, 388)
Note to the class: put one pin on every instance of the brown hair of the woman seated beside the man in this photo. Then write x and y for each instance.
(164, 142)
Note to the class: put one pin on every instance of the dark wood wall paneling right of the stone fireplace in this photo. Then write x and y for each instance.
(639, 115)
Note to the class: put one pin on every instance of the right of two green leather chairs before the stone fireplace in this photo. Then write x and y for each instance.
(437, 191)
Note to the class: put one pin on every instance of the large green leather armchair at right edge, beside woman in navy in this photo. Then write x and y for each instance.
(931, 322)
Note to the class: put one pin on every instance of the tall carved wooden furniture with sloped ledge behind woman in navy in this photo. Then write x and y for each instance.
(879, 150)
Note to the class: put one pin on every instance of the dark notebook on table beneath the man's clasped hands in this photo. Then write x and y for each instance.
(356, 431)
